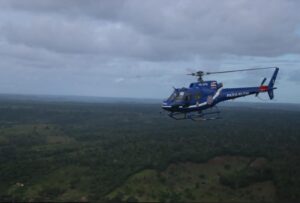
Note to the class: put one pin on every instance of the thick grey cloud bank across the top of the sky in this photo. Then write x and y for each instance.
(158, 30)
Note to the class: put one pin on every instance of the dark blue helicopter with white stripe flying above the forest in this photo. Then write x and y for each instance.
(199, 100)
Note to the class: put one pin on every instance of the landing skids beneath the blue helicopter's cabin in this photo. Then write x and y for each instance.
(211, 114)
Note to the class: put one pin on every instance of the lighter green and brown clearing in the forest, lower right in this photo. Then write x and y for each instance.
(221, 179)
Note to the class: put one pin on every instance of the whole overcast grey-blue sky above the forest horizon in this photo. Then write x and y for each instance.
(141, 49)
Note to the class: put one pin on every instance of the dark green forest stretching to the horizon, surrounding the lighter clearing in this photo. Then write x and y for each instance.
(73, 151)
